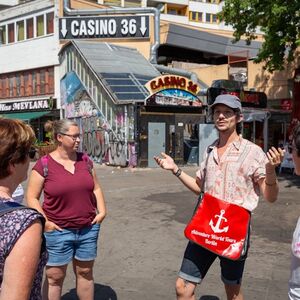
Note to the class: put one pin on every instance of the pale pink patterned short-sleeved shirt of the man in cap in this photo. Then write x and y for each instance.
(234, 177)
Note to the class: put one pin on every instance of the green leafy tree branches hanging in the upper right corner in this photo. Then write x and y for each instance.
(279, 20)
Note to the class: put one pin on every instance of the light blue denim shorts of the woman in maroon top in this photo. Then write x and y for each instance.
(67, 244)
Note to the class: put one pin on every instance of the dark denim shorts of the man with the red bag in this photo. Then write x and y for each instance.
(197, 261)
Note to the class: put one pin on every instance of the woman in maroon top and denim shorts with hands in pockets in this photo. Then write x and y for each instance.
(74, 208)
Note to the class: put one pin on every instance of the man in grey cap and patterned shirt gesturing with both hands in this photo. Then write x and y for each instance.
(236, 171)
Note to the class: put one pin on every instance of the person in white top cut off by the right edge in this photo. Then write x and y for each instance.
(294, 282)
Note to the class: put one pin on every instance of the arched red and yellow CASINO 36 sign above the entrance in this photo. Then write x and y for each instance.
(172, 82)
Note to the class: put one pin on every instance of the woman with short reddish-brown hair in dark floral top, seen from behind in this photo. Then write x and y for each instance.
(22, 252)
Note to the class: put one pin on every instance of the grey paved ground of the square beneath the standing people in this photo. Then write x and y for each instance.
(141, 241)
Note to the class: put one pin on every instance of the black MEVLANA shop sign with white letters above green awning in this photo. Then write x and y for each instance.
(45, 104)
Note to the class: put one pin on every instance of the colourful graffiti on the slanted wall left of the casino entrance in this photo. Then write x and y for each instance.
(100, 141)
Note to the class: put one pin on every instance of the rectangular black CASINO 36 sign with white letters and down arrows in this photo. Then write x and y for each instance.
(104, 27)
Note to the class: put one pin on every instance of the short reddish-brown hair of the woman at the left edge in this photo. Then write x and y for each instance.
(16, 139)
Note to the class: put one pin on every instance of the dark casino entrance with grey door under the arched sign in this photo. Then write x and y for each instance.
(176, 134)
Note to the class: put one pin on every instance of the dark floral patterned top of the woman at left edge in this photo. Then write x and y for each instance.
(12, 225)
